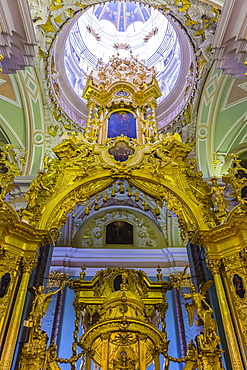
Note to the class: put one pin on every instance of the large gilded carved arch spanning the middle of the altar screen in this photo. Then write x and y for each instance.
(81, 170)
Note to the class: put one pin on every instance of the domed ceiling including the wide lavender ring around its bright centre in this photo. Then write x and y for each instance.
(121, 29)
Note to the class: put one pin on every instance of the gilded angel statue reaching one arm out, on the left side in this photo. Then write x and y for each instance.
(40, 305)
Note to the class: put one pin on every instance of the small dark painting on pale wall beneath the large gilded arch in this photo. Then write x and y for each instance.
(119, 232)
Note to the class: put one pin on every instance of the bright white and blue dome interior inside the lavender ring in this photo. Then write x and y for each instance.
(118, 29)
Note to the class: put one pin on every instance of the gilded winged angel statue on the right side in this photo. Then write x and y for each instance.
(198, 304)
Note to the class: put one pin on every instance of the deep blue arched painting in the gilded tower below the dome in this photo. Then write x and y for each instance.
(122, 123)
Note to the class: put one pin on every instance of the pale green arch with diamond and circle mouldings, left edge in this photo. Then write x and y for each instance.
(22, 117)
